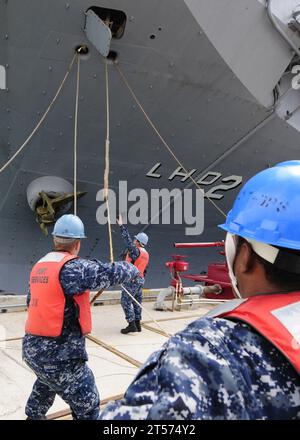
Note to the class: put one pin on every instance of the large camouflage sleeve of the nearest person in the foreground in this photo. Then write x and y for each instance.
(187, 379)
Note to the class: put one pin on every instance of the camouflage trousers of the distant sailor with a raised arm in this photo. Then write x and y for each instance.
(132, 311)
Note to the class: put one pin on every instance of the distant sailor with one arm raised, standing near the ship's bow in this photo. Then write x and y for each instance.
(137, 254)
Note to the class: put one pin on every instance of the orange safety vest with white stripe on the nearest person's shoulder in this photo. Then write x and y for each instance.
(274, 316)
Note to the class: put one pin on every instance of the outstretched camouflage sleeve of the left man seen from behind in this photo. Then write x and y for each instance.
(79, 275)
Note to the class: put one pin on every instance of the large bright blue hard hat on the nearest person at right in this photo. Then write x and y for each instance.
(267, 208)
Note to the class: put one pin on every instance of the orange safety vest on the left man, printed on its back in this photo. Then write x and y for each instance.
(47, 298)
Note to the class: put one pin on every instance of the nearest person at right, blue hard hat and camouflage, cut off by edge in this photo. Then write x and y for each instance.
(223, 366)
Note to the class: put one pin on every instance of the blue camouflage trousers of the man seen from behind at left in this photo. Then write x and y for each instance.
(73, 381)
